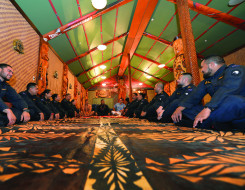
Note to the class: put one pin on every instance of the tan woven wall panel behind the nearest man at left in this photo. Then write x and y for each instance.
(14, 26)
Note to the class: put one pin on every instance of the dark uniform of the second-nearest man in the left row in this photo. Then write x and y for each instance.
(31, 102)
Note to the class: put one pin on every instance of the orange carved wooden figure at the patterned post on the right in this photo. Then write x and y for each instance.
(179, 65)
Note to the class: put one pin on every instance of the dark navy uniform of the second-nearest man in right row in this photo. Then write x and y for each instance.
(174, 101)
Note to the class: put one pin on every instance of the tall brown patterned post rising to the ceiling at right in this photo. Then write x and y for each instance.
(188, 40)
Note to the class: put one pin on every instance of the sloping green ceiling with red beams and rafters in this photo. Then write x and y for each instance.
(144, 29)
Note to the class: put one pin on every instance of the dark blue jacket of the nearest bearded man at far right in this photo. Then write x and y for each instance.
(228, 80)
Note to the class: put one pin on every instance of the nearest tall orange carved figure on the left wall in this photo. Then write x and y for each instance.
(42, 78)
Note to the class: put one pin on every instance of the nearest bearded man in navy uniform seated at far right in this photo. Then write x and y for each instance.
(226, 86)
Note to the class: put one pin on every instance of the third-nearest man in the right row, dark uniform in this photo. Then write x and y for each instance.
(149, 111)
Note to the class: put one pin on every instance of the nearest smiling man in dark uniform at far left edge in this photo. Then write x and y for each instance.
(19, 112)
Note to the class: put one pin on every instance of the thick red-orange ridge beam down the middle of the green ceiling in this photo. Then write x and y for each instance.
(142, 15)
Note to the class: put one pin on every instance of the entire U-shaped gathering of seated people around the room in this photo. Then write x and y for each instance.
(225, 84)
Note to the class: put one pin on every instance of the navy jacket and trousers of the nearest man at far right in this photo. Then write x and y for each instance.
(227, 89)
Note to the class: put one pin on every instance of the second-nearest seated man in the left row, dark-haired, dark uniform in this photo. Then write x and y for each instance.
(30, 97)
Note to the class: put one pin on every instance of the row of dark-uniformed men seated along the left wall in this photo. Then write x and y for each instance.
(27, 105)
